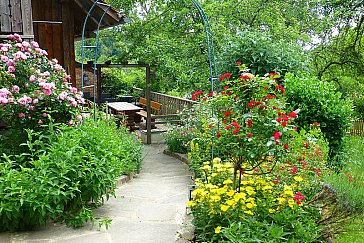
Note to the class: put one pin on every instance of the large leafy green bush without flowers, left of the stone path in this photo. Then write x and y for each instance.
(67, 174)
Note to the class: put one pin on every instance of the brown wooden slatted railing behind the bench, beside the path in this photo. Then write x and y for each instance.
(170, 104)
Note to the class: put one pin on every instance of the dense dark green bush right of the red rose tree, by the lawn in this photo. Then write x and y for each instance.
(319, 102)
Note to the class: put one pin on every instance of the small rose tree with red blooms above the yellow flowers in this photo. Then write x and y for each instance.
(252, 121)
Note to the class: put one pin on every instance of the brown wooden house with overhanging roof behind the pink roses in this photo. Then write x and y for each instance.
(55, 24)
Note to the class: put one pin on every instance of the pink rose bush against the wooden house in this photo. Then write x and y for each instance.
(33, 89)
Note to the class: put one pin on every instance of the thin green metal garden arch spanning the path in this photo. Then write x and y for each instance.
(209, 41)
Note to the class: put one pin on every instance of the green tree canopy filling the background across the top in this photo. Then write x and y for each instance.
(326, 37)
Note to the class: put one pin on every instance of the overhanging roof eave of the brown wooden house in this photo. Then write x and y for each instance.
(111, 18)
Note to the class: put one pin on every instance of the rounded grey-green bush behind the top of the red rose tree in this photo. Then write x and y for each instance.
(262, 53)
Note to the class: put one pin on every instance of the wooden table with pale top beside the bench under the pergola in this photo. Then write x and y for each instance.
(127, 109)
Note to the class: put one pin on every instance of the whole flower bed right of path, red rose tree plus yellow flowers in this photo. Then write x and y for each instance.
(261, 187)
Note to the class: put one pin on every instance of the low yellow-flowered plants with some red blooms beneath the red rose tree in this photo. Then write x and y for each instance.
(264, 207)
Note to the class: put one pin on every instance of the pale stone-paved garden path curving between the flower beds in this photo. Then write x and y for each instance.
(149, 208)
